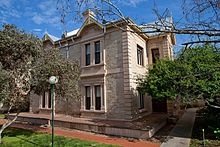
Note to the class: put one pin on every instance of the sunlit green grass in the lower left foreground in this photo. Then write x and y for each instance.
(13, 137)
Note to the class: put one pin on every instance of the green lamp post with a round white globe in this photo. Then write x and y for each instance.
(53, 80)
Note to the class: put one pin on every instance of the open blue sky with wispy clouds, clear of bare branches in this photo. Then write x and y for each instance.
(40, 16)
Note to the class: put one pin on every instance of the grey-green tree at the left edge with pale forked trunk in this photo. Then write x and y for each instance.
(18, 51)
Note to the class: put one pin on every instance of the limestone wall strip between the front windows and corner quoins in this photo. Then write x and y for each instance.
(117, 105)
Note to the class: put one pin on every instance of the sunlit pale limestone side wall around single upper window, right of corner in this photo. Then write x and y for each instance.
(135, 71)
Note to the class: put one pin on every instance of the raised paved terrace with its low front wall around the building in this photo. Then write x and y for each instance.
(142, 128)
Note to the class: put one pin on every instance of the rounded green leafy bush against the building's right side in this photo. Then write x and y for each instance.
(165, 80)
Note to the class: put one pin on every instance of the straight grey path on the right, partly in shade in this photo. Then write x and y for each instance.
(180, 135)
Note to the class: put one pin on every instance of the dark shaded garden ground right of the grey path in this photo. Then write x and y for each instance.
(207, 121)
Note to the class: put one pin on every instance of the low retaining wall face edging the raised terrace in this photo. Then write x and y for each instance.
(143, 133)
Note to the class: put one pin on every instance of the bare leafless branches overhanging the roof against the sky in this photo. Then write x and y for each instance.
(201, 17)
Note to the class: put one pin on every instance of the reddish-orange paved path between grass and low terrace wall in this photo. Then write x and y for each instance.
(89, 136)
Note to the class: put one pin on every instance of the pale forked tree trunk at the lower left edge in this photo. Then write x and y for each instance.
(7, 123)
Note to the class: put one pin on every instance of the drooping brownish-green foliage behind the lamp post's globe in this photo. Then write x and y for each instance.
(51, 62)
